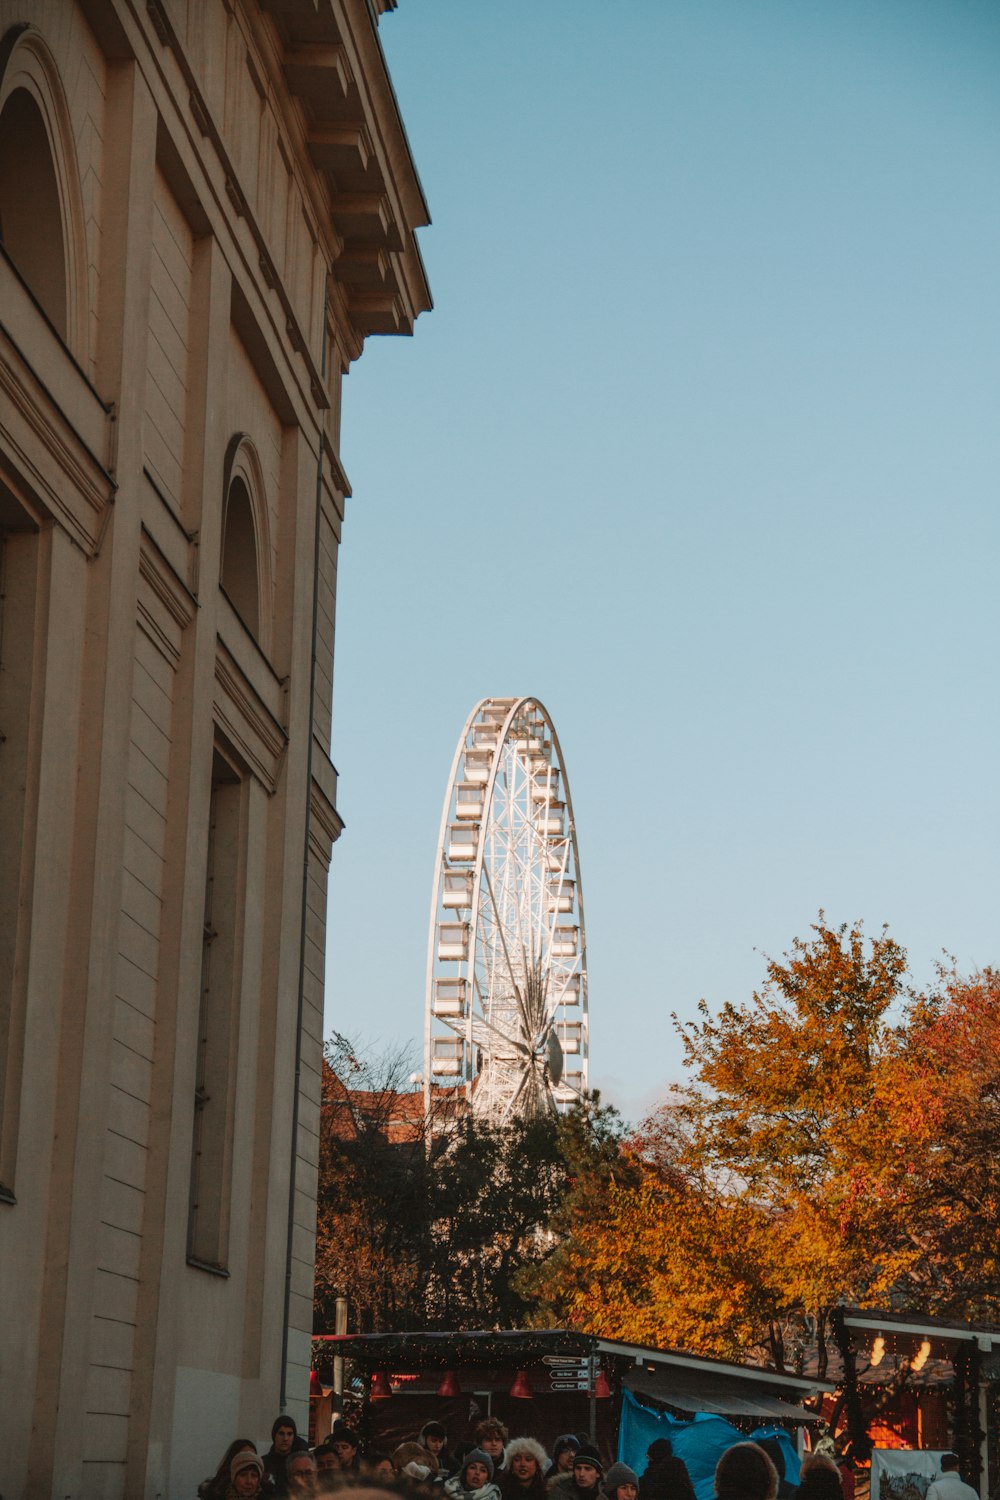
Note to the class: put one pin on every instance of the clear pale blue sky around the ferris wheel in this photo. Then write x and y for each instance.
(701, 446)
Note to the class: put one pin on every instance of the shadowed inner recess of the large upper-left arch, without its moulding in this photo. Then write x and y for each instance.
(31, 218)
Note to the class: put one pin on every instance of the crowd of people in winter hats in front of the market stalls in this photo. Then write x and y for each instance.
(493, 1466)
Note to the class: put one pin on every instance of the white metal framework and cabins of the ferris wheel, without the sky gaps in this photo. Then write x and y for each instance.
(478, 1025)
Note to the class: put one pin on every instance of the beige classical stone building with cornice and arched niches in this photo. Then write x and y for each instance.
(206, 208)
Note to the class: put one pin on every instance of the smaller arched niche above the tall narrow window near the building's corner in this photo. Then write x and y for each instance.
(245, 572)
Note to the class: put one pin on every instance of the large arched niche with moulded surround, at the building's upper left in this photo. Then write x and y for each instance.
(41, 205)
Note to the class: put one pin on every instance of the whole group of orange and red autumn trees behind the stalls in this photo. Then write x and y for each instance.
(833, 1142)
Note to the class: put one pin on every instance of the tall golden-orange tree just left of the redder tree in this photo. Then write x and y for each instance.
(783, 1108)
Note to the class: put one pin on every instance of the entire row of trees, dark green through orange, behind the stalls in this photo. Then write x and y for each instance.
(836, 1141)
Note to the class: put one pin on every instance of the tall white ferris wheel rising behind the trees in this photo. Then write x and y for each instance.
(506, 1003)
